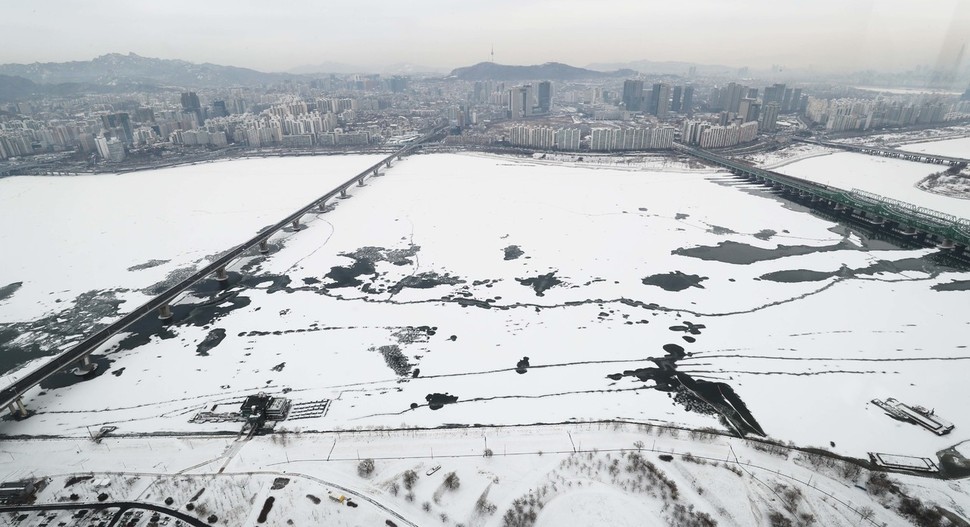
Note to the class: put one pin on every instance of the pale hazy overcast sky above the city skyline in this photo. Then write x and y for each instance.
(282, 34)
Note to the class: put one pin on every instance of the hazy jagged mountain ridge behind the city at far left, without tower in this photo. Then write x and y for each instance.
(115, 68)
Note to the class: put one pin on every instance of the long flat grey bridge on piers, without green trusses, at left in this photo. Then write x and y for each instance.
(78, 356)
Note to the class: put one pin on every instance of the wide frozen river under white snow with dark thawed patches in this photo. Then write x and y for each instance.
(463, 289)
